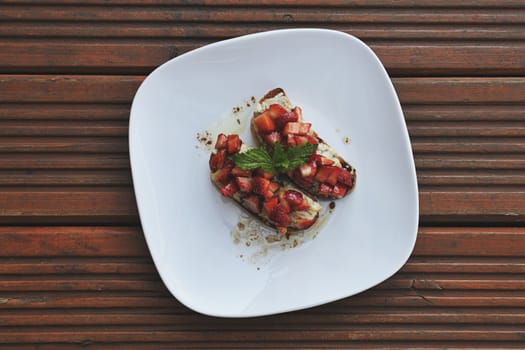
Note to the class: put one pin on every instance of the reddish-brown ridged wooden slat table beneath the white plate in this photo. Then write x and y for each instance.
(75, 271)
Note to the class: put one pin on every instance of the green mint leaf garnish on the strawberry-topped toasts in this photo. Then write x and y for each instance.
(281, 159)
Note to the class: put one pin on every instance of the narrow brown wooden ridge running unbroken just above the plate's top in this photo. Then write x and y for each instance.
(293, 14)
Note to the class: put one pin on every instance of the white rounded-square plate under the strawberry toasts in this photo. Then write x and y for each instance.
(345, 91)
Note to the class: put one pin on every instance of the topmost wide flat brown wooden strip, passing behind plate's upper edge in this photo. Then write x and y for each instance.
(139, 56)
